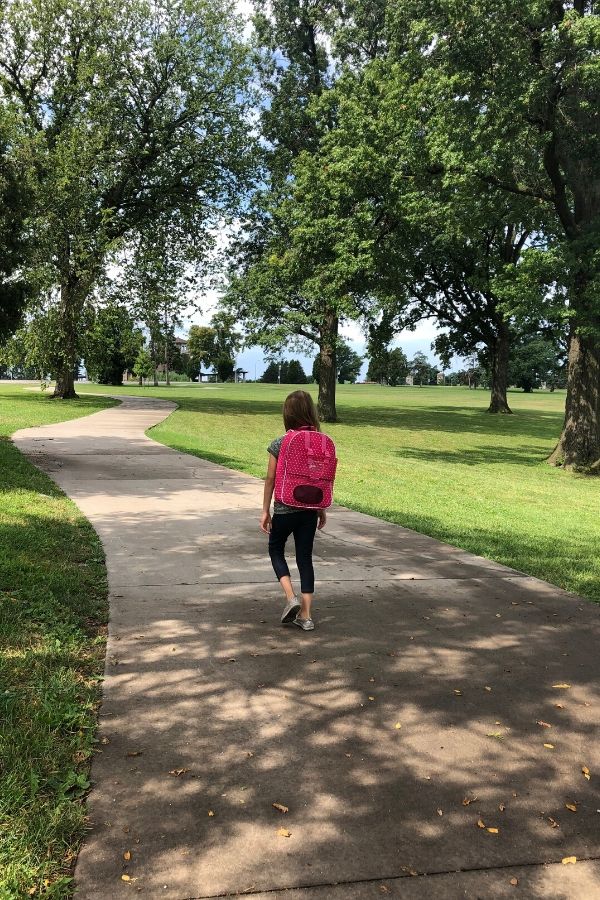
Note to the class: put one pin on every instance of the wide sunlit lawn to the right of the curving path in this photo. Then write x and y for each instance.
(427, 458)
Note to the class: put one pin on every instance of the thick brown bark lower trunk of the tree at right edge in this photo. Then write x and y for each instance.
(579, 444)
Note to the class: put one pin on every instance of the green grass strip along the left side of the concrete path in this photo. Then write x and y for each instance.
(53, 609)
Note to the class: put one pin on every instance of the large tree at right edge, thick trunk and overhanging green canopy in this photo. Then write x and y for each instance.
(507, 93)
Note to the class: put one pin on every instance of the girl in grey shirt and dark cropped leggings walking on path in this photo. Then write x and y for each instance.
(301, 521)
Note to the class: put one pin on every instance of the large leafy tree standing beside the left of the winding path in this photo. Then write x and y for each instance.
(129, 110)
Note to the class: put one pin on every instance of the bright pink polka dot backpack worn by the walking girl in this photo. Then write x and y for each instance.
(306, 469)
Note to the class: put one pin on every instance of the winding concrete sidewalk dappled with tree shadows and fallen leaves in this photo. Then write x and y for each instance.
(420, 705)
